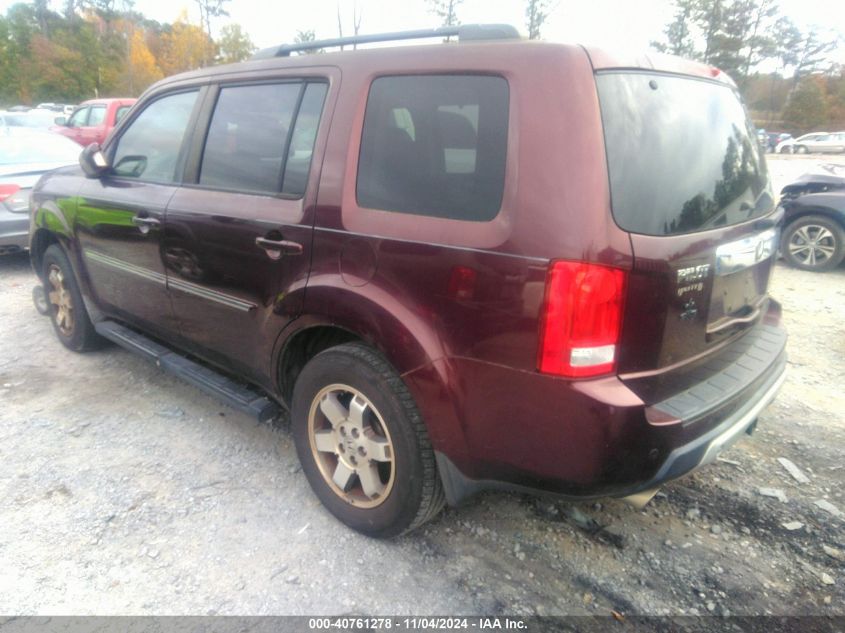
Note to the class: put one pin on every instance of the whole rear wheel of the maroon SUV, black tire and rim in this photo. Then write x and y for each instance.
(355, 423)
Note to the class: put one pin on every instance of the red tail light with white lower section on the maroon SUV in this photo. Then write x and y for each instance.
(581, 319)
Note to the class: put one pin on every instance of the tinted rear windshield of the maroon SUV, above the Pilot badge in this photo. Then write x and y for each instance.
(681, 154)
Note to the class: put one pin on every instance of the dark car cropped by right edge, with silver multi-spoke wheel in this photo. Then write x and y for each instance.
(813, 236)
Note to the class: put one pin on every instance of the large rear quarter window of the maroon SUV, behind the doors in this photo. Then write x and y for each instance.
(435, 145)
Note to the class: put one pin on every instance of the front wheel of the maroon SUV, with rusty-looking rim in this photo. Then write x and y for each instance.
(67, 310)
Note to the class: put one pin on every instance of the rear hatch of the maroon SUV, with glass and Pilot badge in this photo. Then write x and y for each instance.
(689, 184)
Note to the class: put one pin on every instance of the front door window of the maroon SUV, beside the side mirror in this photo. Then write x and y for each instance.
(149, 148)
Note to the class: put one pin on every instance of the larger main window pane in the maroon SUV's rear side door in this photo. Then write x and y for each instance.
(247, 138)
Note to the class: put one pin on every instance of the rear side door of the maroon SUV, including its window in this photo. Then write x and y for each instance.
(238, 240)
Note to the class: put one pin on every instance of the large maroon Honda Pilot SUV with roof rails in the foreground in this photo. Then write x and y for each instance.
(422, 263)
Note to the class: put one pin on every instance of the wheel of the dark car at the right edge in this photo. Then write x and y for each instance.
(813, 242)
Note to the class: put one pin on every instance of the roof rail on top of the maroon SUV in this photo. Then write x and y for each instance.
(465, 32)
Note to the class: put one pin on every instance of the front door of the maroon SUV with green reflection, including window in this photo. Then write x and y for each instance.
(120, 217)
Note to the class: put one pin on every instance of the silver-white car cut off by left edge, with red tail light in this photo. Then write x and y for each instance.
(25, 155)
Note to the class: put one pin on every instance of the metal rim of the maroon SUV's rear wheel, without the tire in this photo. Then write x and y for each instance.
(351, 445)
